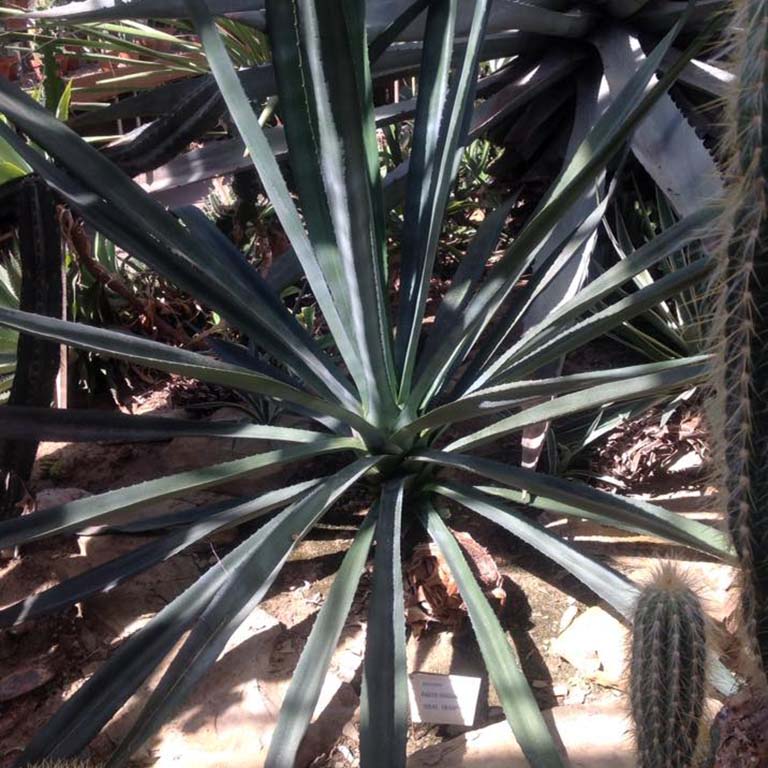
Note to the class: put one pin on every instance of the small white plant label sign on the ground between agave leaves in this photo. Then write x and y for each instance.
(444, 699)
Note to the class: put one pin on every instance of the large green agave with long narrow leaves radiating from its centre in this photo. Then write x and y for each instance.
(404, 410)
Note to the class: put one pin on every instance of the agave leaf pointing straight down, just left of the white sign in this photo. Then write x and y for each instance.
(384, 697)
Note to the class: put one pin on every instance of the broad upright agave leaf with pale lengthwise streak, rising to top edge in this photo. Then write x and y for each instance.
(334, 60)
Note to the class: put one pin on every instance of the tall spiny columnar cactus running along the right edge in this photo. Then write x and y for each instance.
(740, 327)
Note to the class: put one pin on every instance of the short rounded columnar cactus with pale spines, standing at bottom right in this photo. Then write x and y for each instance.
(667, 672)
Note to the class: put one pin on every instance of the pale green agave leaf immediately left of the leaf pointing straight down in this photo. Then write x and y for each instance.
(304, 691)
